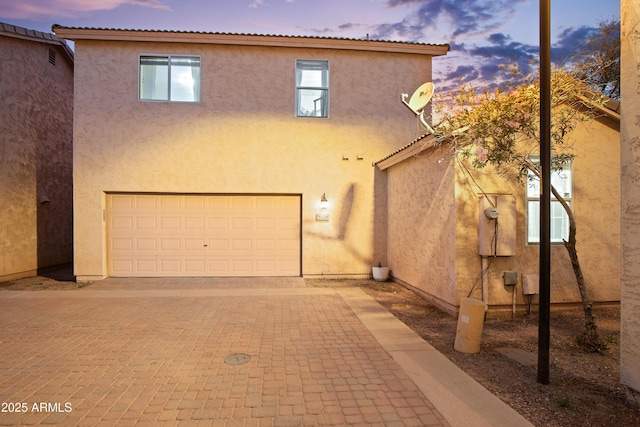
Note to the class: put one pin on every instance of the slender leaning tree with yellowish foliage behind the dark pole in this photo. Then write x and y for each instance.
(501, 128)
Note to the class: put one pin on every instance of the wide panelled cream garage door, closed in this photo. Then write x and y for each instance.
(203, 235)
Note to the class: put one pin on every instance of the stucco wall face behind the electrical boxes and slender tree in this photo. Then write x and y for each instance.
(595, 205)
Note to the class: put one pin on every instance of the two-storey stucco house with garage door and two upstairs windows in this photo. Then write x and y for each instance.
(208, 154)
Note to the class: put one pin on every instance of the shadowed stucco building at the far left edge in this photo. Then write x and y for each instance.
(36, 134)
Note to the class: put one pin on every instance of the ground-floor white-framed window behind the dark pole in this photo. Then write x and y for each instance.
(559, 221)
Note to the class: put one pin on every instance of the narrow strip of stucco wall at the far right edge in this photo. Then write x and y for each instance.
(630, 153)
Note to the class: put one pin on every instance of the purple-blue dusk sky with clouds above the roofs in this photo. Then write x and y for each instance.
(482, 33)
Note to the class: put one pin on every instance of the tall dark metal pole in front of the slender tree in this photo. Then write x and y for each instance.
(545, 192)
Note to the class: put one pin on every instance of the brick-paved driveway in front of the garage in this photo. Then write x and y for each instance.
(85, 357)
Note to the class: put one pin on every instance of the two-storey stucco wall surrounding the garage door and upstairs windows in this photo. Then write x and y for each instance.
(241, 138)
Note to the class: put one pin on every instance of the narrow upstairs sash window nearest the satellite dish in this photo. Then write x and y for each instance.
(312, 88)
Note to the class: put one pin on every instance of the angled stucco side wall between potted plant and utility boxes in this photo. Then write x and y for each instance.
(422, 225)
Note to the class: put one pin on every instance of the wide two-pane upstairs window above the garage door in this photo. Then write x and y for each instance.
(169, 78)
